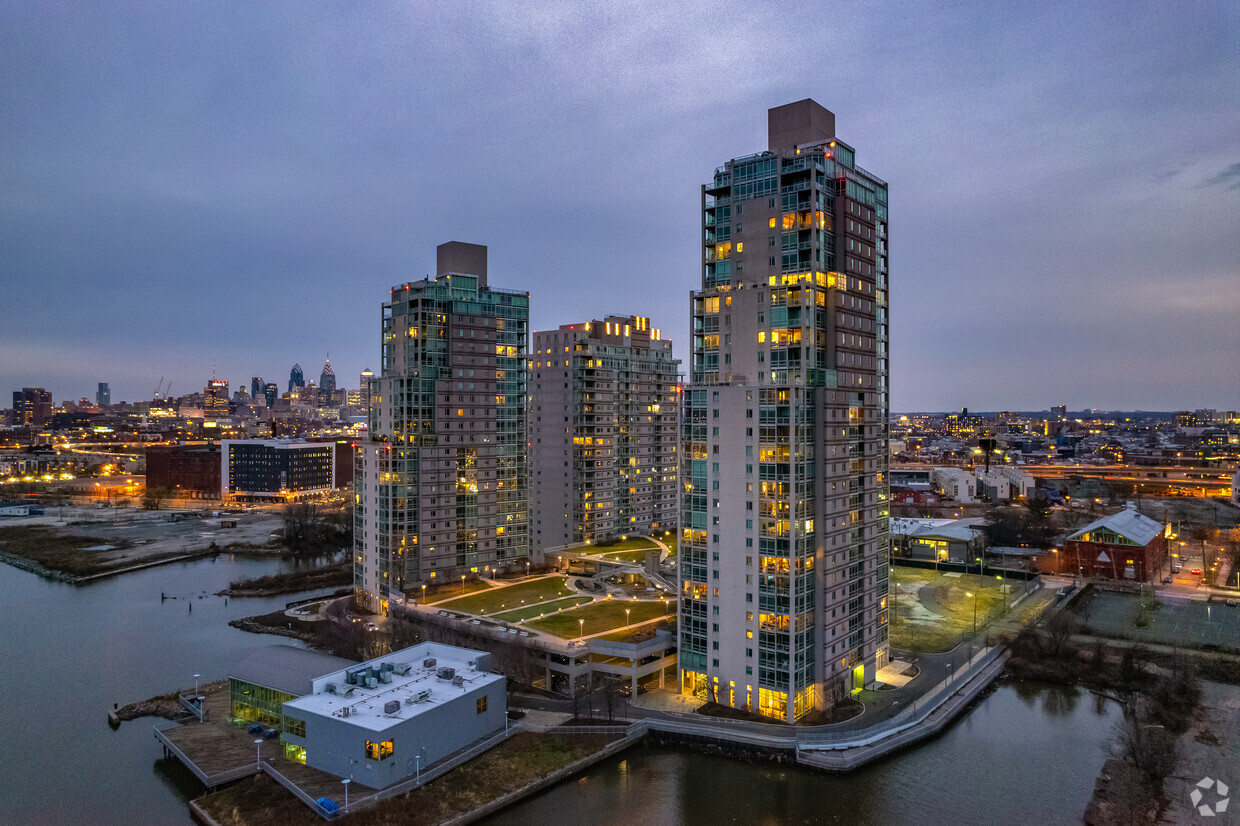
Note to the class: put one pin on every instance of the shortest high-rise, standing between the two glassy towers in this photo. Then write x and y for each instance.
(603, 437)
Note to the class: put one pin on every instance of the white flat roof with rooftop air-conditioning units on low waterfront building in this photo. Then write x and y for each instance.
(366, 706)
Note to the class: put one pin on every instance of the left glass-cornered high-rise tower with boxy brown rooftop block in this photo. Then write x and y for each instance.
(442, 483)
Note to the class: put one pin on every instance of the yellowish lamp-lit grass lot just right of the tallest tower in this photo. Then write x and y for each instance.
(934, 612)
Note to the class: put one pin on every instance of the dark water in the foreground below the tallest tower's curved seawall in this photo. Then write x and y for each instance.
(1027, 755)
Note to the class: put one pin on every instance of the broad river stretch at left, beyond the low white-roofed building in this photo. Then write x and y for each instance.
(71, 653)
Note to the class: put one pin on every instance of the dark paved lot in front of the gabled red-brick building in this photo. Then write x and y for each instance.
(1191, 624)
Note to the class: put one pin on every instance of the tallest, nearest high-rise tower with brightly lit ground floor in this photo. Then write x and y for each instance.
(784, 539)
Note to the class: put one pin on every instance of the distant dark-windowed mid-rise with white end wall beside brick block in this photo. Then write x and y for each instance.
(276, 469)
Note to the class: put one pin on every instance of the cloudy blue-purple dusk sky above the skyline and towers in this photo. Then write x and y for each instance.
(246, 182)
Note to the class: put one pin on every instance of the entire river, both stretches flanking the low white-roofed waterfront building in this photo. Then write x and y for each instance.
(1027, 753)
